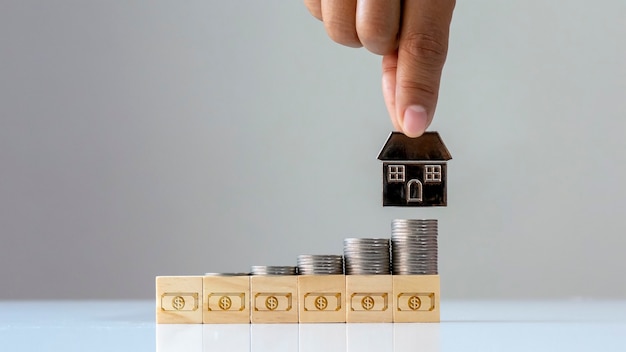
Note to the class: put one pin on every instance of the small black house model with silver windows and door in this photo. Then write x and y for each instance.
(414, 170)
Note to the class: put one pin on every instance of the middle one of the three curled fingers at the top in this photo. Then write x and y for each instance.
(339, 21)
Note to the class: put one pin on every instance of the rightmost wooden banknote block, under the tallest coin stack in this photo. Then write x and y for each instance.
(416, 298)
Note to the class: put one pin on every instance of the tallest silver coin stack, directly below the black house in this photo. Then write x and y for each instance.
(414, 247)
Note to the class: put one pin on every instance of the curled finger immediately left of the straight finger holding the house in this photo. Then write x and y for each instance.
(377, 24)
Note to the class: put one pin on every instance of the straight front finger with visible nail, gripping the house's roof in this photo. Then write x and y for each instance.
(422, 50)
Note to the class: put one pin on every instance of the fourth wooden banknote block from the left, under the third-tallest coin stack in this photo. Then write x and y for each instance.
(322, 298)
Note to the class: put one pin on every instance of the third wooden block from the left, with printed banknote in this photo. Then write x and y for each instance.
(274, 299)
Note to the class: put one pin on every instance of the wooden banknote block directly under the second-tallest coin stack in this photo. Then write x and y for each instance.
(369, 299)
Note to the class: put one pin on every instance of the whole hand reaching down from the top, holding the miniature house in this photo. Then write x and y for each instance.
(412, 36)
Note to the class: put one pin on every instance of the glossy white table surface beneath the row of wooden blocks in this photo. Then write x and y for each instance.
(576, 325)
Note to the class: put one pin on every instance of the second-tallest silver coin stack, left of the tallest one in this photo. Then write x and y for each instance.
(367, 256)
